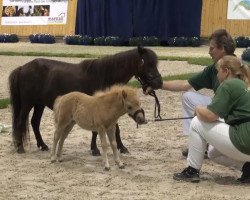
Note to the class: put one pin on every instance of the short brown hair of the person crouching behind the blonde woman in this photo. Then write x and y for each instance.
(223, 39)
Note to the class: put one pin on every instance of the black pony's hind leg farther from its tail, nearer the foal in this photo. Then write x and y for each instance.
(35, 122)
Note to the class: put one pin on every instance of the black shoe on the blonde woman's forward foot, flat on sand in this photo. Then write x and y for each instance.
(189, 174)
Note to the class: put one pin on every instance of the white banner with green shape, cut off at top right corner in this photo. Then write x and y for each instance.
(238, 9)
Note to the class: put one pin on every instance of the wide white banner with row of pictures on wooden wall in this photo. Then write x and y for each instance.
(34, 12)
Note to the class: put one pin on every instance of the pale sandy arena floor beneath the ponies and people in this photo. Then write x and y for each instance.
(155, 150)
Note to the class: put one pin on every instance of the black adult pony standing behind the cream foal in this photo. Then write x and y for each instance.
(37, 84)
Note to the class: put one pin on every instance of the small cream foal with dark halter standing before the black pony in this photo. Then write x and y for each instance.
(96, 113)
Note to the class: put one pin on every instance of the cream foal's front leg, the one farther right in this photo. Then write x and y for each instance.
(111, 136)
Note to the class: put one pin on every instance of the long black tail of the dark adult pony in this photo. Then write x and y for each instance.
(19, 125)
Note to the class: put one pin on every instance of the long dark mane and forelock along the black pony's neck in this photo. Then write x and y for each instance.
(111, 67)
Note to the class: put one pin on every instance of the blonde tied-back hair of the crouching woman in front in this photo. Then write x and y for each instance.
(238, 69)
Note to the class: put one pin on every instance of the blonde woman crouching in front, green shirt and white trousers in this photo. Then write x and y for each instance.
(230, 137)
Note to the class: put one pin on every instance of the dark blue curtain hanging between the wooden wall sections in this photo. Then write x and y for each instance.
(134, 18)
